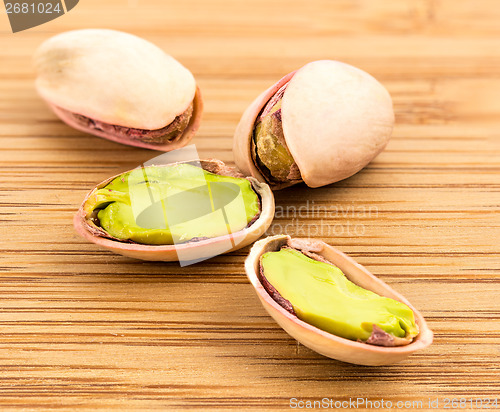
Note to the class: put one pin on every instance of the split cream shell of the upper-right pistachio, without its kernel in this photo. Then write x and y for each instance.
(335, 120)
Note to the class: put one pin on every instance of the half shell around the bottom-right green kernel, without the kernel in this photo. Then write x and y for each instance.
(316, 339)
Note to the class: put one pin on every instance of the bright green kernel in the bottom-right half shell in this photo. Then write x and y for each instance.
(322, 296)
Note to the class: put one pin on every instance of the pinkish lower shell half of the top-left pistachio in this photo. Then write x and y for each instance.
(181, 141)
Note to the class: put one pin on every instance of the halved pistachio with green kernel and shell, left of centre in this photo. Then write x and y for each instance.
(152, 213)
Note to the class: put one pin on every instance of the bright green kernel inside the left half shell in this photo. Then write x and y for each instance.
(163, 205)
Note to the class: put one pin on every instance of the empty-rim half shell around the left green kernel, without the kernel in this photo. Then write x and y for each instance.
(191, 250)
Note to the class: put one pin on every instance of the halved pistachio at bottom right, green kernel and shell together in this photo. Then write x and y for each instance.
(333, 305)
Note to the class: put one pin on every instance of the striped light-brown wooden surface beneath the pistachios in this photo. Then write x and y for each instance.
(83, 328)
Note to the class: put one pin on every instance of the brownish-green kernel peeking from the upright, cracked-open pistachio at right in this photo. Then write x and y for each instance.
(272, 151)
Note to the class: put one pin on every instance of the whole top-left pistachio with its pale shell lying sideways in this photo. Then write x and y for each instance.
(118, 86)
